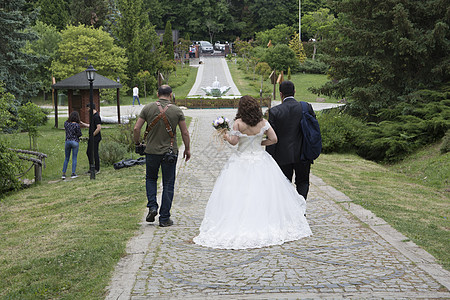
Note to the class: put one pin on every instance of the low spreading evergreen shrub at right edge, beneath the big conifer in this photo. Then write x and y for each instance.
(407, 127)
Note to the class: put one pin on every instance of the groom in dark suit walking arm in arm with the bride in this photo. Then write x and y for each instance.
(285, 120)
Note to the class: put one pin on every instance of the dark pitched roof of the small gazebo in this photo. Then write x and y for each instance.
(79, 82)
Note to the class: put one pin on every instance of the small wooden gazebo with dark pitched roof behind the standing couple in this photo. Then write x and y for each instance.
(78, 90)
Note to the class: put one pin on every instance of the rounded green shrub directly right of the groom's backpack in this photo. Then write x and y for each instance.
(339, 131)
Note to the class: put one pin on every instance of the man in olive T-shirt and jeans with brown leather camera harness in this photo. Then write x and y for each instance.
(161, 150)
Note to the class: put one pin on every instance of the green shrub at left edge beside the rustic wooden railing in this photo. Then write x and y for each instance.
(10, 166)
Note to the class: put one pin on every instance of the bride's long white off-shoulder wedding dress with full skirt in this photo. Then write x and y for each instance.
(253, 204)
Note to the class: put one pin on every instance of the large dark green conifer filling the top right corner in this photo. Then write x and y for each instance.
(387, 49)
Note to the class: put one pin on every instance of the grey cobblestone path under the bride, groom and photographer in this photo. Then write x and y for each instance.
(345, 257)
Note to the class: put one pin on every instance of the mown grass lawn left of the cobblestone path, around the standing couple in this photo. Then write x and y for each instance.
(62, 239)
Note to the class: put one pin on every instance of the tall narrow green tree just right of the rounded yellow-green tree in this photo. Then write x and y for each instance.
(139, 38)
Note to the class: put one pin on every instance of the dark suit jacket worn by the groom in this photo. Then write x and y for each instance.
(285, 121)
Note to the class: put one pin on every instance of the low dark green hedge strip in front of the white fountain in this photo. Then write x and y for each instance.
(217, 102)
